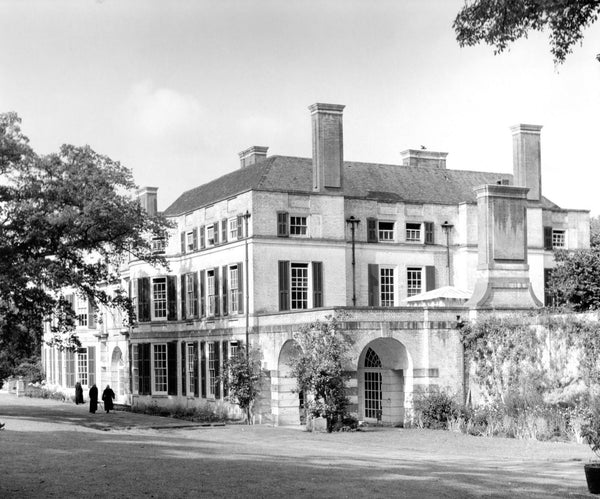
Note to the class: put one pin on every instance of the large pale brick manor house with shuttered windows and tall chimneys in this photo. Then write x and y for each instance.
(401, 253)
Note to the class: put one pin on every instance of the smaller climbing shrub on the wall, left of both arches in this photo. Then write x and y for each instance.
(242, 377)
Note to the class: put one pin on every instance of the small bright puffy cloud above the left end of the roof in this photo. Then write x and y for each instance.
(162, 111)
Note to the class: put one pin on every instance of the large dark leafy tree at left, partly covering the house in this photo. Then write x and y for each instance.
(66, 220)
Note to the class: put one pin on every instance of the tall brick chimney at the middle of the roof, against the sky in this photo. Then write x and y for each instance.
(328, 146)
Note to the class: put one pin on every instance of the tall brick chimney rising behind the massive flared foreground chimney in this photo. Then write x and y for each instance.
(527, 160)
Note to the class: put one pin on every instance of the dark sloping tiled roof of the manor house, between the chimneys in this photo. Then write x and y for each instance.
(394, 183)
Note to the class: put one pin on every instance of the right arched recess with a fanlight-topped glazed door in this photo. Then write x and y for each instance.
(383, 366)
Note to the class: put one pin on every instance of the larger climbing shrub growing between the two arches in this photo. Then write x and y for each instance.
(319, 368)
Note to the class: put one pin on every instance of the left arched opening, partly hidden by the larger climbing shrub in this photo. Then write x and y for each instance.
(290, 404)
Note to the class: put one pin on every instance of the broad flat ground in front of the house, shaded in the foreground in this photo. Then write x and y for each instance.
(53, 449)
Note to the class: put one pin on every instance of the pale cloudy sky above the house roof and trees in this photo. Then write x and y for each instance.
(175, 89)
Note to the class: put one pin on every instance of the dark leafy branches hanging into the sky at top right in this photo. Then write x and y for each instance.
(500, 22)
